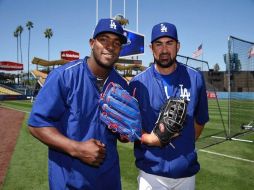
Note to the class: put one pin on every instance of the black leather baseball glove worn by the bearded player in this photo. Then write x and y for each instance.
(170, 121)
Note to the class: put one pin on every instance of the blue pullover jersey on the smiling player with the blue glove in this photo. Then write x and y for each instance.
(68, 101)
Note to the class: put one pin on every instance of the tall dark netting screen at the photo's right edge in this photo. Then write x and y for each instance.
(240, 78)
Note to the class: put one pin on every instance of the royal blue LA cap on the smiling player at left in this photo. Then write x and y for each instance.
(111, 26)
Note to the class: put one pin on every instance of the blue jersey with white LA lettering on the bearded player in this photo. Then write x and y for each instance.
(152, 91)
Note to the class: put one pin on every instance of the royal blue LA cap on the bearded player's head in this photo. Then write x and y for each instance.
(164, 29)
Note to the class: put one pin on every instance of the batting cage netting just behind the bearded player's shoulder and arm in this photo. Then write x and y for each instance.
(217, 108)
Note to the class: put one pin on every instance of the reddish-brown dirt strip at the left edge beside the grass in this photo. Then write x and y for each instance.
(10, 125)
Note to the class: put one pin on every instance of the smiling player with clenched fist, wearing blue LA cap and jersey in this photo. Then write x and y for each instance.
(66, 116)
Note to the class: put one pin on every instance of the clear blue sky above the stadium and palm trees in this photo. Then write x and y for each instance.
(209, 22)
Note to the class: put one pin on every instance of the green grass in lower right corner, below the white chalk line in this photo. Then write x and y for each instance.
(220, 173)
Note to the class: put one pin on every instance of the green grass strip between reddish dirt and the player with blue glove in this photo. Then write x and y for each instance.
(28, 167)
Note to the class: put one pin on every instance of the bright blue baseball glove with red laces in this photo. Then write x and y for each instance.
(120, 112)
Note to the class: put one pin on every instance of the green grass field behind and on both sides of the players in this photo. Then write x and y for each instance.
(225, 164)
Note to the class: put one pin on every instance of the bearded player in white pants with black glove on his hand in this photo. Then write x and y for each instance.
(172, 166)
